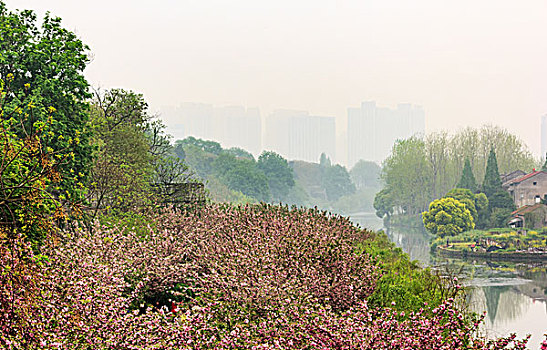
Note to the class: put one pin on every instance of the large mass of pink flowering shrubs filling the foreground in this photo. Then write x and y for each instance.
(261, 277)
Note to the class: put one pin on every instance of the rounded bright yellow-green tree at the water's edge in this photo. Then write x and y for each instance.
(447, 217)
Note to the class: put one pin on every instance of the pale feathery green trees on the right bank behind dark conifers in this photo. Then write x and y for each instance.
(421, 170)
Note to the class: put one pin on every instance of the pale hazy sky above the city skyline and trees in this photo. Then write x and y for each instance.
(467, 62)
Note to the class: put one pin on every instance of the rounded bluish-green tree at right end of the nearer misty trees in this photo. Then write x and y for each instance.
(279, 174)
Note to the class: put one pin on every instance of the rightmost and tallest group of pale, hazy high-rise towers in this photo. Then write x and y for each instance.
(373, 130)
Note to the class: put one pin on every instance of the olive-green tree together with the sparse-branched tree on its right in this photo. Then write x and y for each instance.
(134, 161)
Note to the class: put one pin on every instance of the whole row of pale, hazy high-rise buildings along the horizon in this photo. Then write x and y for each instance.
(298, 135)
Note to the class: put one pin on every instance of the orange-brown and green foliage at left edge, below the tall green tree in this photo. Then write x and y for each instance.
(29, 174)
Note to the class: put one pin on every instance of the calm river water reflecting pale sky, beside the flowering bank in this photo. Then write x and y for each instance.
(514, 296)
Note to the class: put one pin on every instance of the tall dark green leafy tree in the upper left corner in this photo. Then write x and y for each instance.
(47, 62)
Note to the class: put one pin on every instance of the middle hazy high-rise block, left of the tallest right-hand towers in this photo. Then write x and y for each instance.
(297, 135)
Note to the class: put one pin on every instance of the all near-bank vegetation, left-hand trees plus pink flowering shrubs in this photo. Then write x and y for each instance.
(91, 257)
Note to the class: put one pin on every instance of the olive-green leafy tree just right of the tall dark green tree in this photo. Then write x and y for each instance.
(123, 168)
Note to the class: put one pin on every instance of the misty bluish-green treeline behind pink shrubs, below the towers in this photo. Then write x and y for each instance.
(233, 175)
